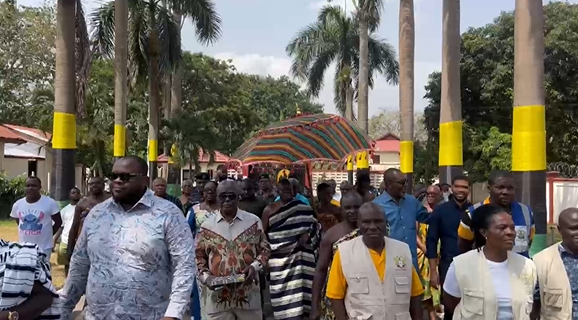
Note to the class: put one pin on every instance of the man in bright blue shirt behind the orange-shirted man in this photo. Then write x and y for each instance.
(402, 210)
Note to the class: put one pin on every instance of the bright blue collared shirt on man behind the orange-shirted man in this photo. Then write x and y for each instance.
(402, 217)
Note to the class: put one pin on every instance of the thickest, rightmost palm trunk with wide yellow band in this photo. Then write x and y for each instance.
(529, 125)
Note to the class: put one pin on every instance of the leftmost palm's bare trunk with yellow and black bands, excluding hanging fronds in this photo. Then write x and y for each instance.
(64, 125)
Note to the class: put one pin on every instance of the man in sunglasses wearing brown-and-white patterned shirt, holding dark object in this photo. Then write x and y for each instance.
(231, 242)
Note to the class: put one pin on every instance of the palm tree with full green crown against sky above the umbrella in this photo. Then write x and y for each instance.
(334, 38)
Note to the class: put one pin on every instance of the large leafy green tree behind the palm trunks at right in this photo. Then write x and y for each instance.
(487, 71)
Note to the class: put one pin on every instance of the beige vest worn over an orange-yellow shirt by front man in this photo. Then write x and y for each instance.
(367, 296)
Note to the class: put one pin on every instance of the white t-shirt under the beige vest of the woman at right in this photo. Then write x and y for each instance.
(500, 280)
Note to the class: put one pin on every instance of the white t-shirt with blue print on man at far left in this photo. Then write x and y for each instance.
(35, 221)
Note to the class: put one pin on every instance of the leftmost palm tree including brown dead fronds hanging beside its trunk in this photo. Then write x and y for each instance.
(72, 68)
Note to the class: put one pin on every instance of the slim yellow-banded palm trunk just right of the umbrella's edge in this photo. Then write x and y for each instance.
(406, 87)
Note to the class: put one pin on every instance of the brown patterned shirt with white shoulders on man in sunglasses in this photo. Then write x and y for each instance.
(228, 248)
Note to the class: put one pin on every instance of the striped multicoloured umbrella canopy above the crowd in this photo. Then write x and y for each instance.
(324, 137)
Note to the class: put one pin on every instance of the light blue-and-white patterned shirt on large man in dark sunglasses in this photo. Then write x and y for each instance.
(135, 263)
